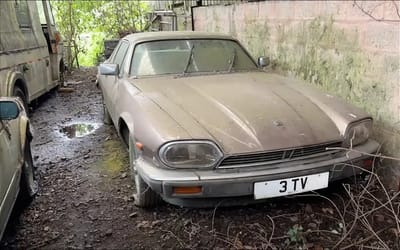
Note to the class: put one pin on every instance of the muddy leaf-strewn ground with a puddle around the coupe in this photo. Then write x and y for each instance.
(85, 198)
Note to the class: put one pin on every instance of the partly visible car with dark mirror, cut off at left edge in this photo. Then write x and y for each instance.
(16, 165)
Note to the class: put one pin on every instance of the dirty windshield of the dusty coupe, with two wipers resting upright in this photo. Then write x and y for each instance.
(189, 56)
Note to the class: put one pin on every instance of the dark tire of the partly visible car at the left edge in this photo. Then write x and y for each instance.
(29, 185)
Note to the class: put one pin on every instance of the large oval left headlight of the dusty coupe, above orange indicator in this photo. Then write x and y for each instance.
(190, 154)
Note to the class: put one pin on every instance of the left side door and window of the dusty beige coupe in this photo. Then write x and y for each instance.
(110, 85)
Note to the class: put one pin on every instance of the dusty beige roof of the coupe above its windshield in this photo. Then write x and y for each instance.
(171, 35)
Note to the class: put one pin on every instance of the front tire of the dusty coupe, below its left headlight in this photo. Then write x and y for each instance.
(144, 196)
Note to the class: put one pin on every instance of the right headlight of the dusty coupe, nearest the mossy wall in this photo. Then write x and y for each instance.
(358, 132)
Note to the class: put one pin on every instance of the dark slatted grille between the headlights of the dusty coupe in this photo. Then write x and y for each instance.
(279, 155)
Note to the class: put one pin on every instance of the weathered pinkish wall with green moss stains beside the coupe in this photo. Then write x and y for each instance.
(352, 50)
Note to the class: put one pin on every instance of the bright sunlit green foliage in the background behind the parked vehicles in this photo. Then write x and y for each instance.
(107, 18)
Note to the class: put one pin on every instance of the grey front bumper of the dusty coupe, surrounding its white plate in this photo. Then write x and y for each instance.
(239, 182)
